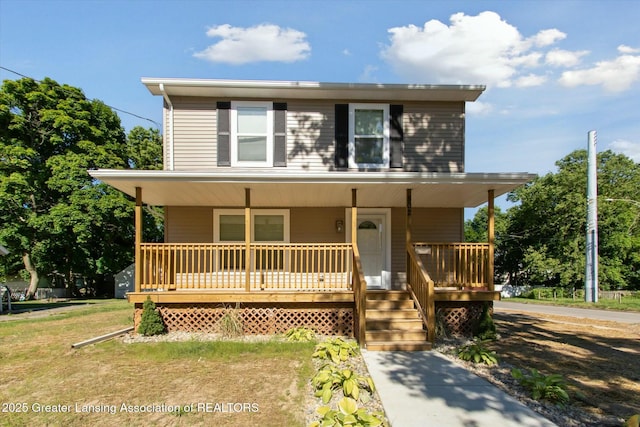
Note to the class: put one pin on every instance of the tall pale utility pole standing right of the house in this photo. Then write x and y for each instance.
(591, 271)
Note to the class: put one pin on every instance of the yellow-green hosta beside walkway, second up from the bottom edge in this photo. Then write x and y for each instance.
(330, 378)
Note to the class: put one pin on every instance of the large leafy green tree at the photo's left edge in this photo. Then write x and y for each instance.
(52, 213)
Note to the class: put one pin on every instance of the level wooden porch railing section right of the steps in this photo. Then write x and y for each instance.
(461, 265)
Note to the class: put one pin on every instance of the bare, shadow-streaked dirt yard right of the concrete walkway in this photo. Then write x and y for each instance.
(599, 359)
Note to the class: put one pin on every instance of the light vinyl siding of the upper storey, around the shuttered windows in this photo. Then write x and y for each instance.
(433, 135)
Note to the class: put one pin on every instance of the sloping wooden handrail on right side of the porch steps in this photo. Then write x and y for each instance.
(422, 290)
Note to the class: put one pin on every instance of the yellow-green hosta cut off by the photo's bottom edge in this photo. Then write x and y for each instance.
(348, 414)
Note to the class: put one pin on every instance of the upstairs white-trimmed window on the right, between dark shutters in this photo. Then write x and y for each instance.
(368, 135)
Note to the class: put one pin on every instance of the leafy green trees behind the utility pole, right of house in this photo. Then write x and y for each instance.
(546, 244)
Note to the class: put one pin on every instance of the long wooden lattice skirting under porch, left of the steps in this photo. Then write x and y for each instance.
(256, 318)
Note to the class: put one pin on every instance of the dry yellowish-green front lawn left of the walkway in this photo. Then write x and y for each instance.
(182, 383)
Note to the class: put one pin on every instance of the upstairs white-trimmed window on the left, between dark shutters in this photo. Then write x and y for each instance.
(251, 133)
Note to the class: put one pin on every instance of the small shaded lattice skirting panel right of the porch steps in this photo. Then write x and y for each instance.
(460, 319)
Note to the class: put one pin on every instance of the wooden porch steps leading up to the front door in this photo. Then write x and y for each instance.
(393, 323)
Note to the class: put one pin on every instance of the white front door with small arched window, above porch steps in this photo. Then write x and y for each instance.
(372, 246)
